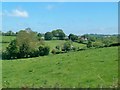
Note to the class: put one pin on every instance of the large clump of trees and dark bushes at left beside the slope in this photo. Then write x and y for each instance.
(25, 45)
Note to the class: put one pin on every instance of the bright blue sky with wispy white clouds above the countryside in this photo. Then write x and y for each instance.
(73, 17)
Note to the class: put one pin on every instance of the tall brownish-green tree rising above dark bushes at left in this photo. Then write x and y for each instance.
(27, 42)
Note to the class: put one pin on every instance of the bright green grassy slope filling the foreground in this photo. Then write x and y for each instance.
(74, 69)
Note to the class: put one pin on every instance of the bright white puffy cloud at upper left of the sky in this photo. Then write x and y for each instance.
(16, 13)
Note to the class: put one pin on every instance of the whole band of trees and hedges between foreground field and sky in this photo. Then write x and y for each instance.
(31, 44)
